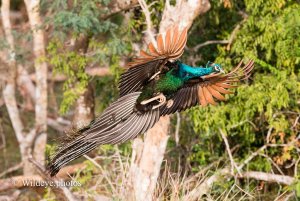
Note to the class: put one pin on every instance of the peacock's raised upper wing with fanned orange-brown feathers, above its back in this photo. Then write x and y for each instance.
(169, 46)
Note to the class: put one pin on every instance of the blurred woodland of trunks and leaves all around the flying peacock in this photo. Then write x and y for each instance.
(60, 62)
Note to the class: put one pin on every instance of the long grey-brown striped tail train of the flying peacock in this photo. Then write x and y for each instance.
(118, 123)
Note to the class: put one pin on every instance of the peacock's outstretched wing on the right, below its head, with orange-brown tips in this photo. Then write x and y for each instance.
(205, 90)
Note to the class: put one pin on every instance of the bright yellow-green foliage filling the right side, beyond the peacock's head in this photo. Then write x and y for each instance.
(270, 35)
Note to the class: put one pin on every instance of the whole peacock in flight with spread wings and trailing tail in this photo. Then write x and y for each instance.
(156, 83)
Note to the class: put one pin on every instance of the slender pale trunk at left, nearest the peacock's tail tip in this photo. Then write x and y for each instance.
(33, 9)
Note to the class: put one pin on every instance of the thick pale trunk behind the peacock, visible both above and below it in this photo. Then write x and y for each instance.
(148, 155)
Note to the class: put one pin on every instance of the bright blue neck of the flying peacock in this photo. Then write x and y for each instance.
(187, 72)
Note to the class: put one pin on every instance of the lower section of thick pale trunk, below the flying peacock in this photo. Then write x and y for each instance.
(146, 160)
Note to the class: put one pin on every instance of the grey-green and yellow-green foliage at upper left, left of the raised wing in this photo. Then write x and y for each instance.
(83, 18)
